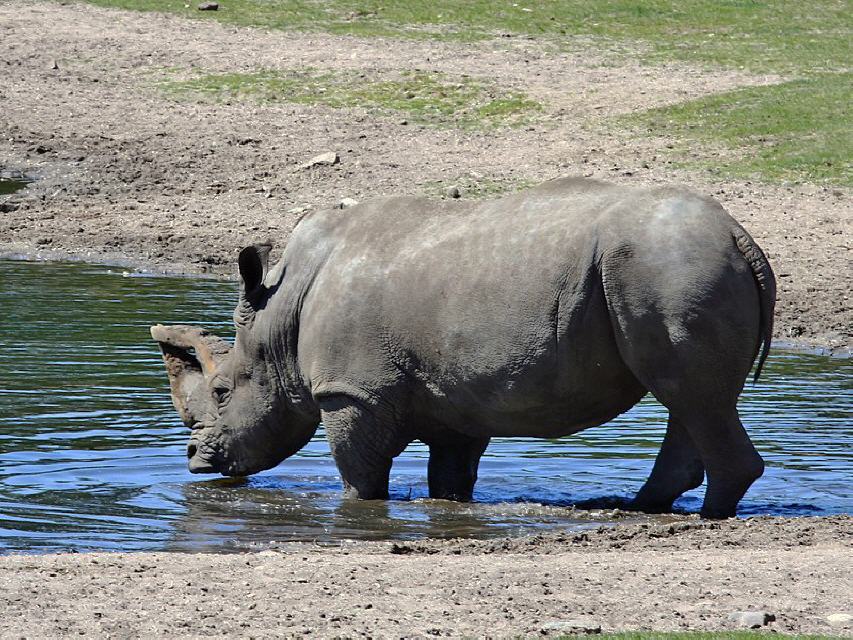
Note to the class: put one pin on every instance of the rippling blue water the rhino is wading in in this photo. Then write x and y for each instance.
(92, 453)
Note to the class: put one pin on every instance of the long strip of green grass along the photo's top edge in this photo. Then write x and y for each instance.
(780, 35)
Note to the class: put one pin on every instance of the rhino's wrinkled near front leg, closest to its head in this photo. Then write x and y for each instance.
(363, 444)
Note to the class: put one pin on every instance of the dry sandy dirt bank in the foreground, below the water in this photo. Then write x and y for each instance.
(687, 575)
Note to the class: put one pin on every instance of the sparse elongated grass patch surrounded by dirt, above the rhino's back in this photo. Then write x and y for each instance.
(423, 97)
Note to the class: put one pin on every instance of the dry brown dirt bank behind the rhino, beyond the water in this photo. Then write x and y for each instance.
(130, 175)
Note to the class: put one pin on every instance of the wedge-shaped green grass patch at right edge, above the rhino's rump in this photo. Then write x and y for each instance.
(797, 131)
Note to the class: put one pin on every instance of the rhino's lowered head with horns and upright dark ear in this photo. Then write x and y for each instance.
(234, 399)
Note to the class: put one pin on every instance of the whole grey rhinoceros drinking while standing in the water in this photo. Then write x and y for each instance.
(537, 314)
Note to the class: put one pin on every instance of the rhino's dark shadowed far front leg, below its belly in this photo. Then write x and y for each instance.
(453, 464)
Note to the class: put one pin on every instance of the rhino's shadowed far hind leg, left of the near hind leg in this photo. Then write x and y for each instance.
(678, 468)
